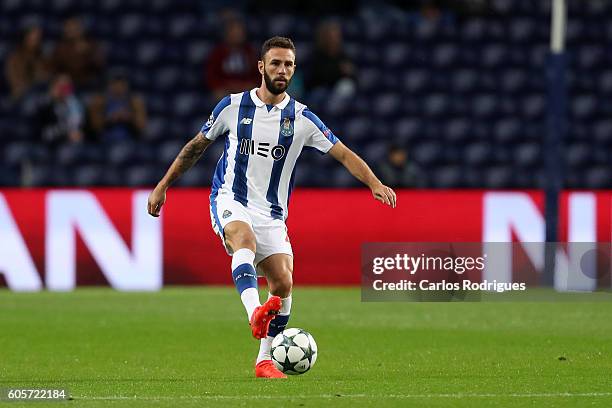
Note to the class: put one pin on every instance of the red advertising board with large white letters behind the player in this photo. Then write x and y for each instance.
(60, 239)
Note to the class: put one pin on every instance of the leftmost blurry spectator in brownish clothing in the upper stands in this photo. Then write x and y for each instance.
(26, 65)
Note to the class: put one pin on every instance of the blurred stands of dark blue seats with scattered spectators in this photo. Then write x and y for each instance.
(433, 94)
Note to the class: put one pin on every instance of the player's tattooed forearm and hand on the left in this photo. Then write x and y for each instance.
(187, 157)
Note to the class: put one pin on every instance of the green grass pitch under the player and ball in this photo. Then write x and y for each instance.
(192, 347)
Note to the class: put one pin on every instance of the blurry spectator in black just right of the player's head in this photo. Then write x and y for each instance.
(331, 68)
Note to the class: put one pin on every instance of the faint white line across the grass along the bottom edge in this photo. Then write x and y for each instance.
(396, 396)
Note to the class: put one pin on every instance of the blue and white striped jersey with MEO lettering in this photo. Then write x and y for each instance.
(262, 145)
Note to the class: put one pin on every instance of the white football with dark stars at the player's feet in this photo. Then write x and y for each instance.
(294, 351)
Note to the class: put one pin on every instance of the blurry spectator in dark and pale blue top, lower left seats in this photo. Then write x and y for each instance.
(59, 116)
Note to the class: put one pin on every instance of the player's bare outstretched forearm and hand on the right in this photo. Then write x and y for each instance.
(362, 172)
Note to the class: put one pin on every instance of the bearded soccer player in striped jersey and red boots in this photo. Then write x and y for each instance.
(264, 131)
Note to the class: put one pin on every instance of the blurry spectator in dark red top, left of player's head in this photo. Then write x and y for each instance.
(232, 64)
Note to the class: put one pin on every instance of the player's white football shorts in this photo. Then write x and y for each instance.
(270, 234)
